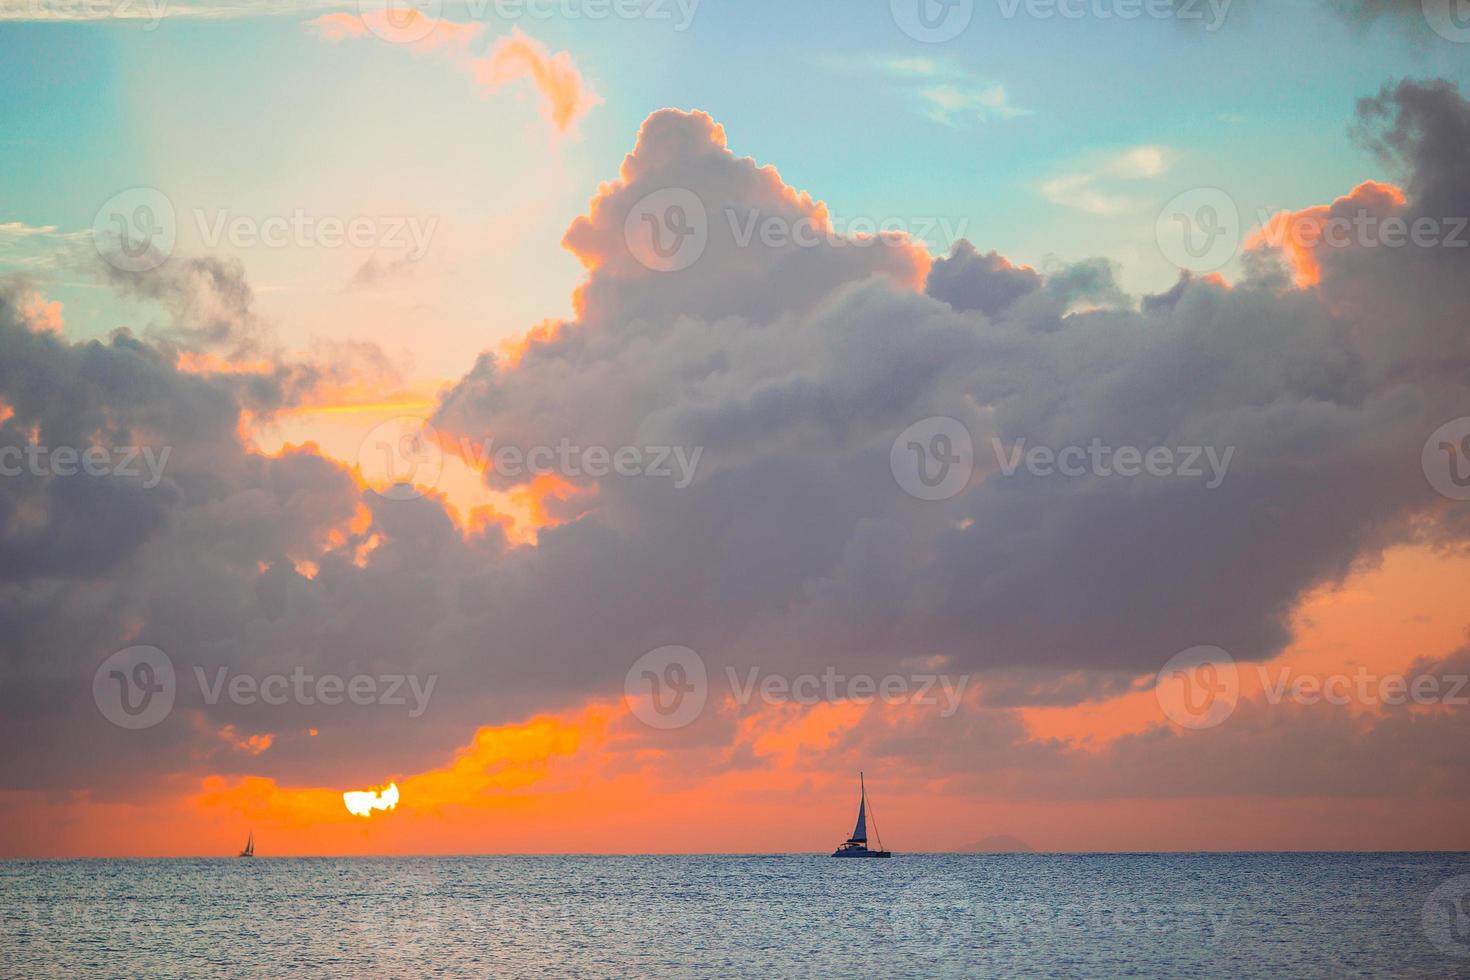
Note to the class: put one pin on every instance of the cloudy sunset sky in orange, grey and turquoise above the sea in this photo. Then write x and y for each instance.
(643, 418)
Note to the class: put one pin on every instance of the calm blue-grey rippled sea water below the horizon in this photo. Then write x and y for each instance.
(1002, 916)
